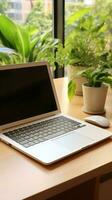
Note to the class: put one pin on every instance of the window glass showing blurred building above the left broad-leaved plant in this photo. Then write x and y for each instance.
(35, 12)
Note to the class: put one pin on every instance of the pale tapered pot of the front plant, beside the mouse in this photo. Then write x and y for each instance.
(94, 99)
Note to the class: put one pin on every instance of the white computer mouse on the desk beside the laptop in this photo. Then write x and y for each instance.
(98, 121)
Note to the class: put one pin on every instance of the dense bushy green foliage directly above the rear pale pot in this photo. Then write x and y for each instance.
(81, 51)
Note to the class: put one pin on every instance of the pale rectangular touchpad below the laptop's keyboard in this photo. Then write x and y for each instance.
(73, 141)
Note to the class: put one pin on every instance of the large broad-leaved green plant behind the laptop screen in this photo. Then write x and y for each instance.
(25, 43)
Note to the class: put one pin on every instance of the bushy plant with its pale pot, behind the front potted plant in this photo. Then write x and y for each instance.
(81, 56)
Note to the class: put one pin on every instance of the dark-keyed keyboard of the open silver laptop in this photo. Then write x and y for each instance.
(33, 134)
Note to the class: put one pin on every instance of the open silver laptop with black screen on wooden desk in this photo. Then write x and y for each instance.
(30, 116)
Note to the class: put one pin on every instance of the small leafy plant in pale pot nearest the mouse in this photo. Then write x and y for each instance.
(95, 90)
